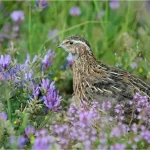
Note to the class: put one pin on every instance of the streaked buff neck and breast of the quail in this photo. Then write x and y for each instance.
(86, 70)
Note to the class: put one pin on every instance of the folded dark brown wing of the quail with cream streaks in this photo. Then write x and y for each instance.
(113, 83)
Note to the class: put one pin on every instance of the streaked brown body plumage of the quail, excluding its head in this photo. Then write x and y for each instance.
(96, 81)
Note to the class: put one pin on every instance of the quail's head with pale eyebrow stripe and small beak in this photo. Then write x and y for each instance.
(76, 45)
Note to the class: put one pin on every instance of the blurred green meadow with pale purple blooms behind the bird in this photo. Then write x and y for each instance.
(119, 32)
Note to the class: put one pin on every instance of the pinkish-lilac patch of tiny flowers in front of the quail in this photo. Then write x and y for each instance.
(88, 126)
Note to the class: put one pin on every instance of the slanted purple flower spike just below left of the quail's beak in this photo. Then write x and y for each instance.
(48, 58)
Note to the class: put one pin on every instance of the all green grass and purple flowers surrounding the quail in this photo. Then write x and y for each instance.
(32, 112)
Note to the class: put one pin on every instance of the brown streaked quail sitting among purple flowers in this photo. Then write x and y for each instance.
(94, 81)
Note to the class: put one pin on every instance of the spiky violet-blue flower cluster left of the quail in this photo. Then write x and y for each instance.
(23, 76)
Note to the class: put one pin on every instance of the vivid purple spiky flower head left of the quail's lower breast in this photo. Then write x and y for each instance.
(52, 99)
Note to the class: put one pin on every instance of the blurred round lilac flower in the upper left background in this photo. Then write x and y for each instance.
(17, 16)
